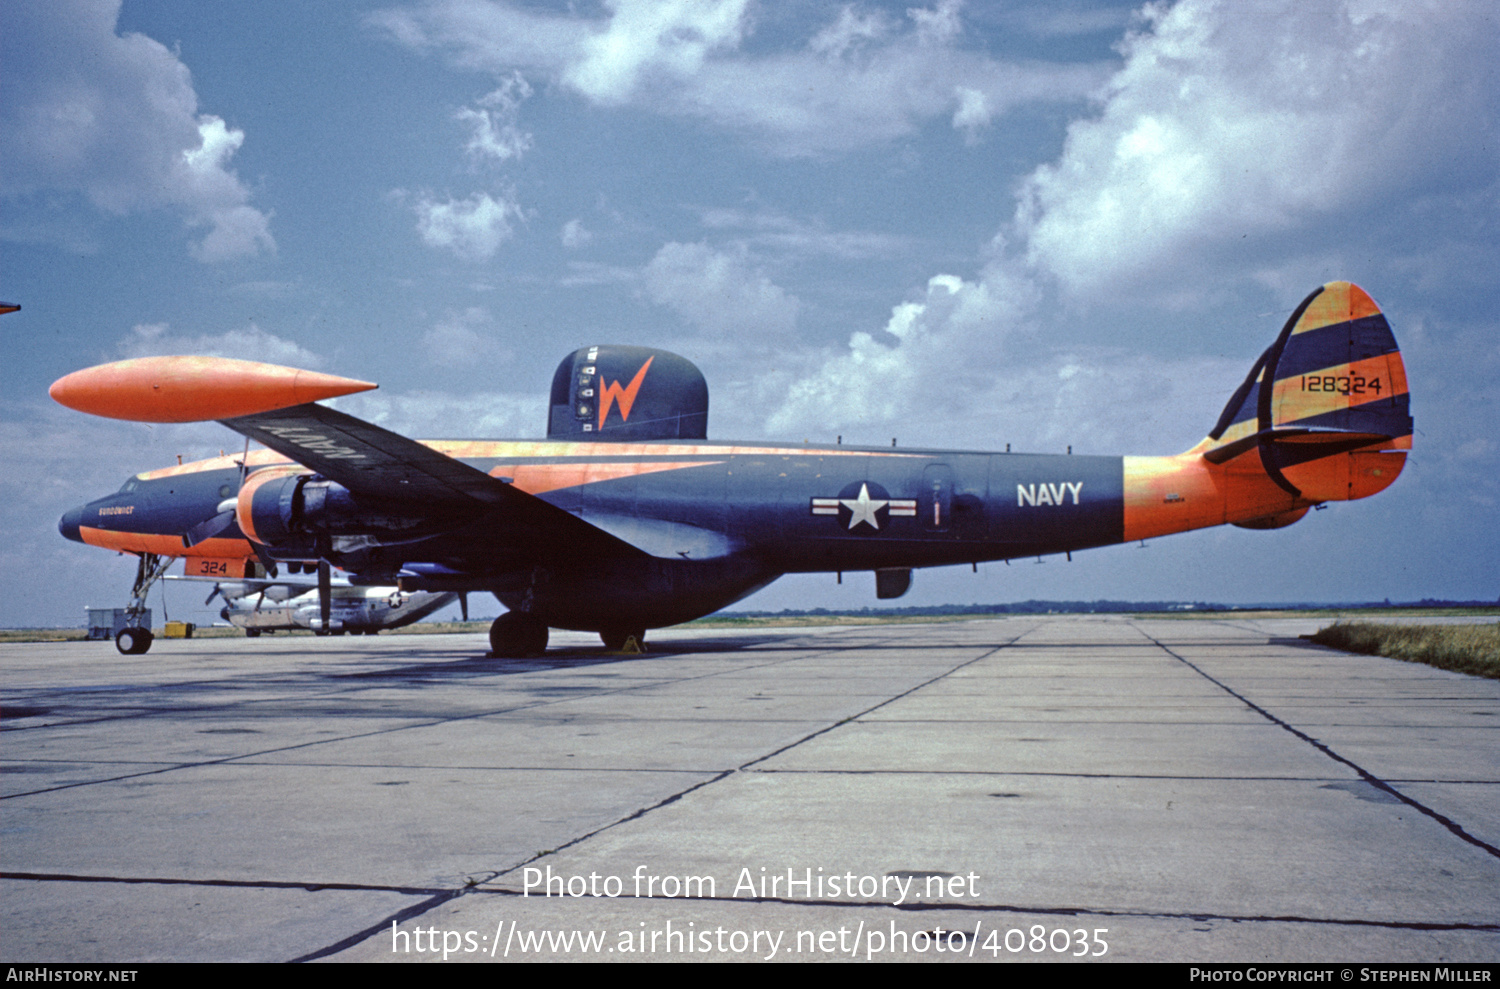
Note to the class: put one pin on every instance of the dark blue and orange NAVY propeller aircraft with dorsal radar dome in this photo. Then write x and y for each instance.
(628, 519)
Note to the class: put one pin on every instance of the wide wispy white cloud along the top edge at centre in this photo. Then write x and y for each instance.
(862, 79)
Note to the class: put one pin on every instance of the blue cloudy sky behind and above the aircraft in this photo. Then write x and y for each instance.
(962, 226)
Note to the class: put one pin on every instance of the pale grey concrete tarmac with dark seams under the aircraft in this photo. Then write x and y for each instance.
(1055, 789)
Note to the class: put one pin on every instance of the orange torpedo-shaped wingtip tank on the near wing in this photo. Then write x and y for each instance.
(194, 389)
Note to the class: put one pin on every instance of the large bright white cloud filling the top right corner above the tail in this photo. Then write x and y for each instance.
(1232, 124)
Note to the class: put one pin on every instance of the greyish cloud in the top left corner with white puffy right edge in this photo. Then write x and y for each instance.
(116, 121)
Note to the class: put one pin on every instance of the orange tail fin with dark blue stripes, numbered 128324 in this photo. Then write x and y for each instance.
(1331, 385)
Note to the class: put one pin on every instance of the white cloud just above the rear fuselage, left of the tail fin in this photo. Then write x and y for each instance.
(944, 374)
